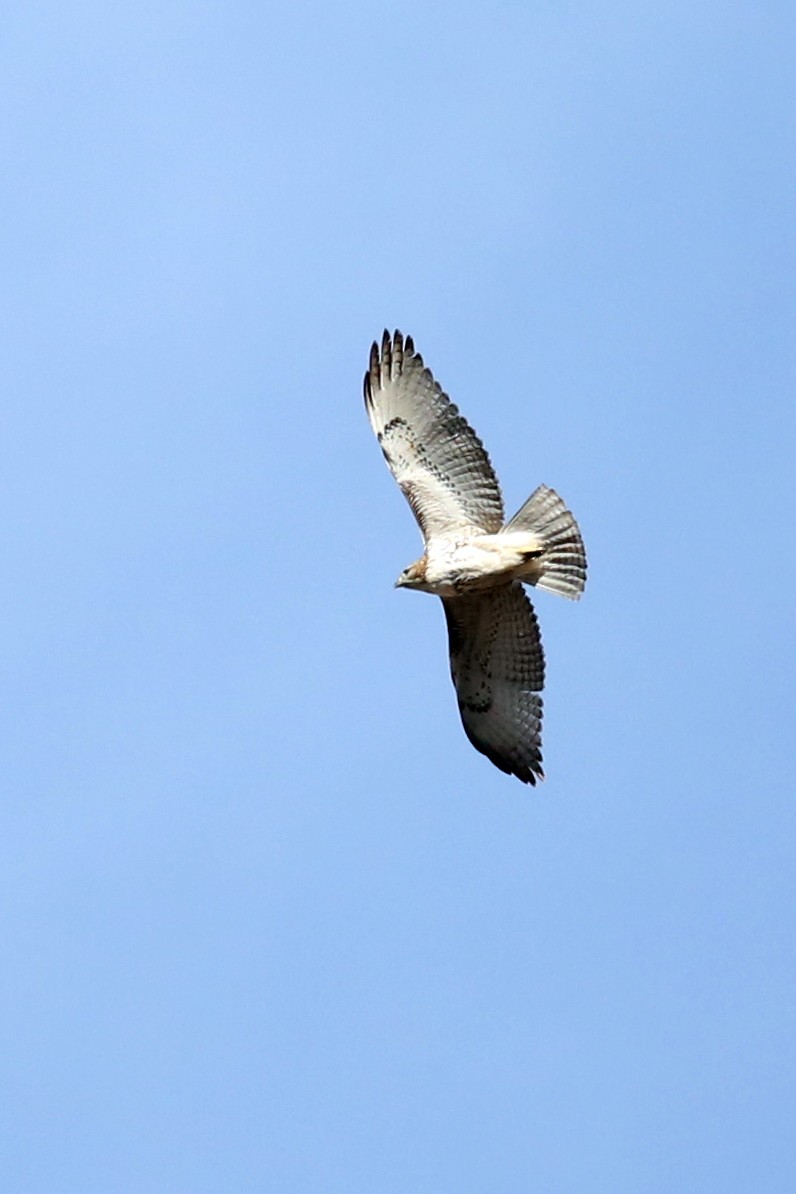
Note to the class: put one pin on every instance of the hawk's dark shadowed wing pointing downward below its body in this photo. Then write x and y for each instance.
(498, 670)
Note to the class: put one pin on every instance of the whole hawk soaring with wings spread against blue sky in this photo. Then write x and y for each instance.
(473, 561)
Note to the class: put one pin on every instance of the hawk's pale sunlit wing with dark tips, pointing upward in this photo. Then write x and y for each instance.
(435, 454)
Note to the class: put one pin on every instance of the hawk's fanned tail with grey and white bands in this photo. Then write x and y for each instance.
(564, 561)
